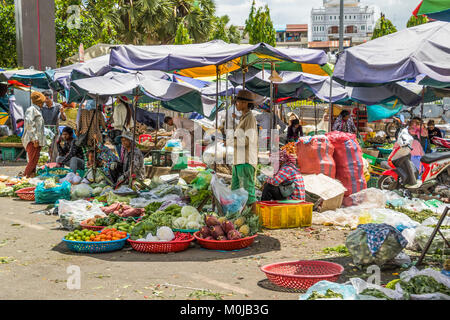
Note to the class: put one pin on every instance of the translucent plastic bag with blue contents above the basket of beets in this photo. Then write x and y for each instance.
(231, 201)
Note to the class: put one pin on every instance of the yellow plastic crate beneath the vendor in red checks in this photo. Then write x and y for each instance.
(275, 215)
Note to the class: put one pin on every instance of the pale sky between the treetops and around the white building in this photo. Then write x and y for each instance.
(299, 11)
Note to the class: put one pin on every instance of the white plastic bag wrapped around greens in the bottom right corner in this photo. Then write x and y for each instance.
(439, 277)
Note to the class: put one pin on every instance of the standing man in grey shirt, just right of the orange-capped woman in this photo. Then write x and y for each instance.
(52, 112)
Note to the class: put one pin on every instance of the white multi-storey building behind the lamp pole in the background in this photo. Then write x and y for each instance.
(359, 22)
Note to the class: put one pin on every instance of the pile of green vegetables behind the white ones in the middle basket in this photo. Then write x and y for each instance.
(151, 222)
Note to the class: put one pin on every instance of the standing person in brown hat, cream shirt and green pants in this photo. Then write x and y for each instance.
(245, 147)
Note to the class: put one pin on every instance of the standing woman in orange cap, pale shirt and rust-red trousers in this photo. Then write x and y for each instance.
(33, 137)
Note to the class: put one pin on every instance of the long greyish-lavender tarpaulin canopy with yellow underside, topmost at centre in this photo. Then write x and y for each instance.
(209, 54)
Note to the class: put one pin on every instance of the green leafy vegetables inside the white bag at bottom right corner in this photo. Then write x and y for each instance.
(421, 285)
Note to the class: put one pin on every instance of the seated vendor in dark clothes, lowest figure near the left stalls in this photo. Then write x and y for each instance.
(68, 152)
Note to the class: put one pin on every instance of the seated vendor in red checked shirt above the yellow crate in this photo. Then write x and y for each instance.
(288, 172)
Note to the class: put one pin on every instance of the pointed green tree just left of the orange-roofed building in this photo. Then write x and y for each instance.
(259, 26)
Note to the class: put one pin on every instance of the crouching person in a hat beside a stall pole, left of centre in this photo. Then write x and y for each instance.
(138, 159)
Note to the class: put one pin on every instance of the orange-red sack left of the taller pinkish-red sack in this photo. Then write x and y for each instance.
(315, 155)
